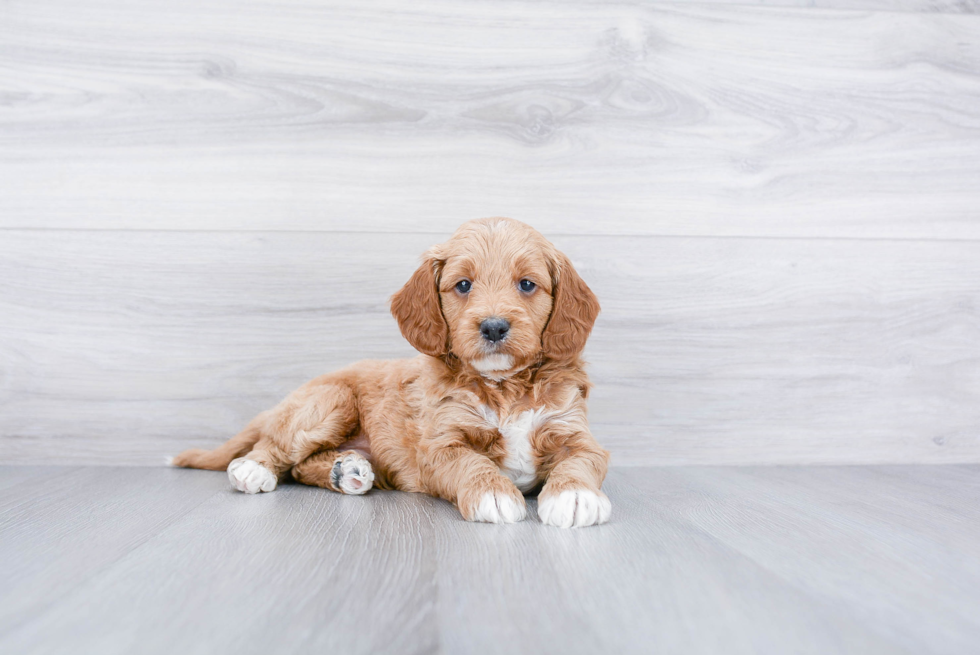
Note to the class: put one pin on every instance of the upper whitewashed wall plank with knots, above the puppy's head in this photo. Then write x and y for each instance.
(582, 117)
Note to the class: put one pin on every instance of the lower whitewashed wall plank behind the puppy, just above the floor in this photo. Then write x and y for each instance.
(127, 346)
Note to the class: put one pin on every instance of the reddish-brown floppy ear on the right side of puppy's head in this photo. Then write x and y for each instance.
(573, 313)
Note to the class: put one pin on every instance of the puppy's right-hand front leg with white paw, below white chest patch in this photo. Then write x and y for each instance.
(572, 496)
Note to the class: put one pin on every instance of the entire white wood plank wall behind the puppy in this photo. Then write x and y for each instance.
(204, 203)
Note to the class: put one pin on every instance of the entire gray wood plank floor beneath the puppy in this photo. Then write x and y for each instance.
(695, 560)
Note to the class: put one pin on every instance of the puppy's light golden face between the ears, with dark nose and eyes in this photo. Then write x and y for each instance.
(496, 293)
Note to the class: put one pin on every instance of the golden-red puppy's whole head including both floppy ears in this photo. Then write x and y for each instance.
(498, 296)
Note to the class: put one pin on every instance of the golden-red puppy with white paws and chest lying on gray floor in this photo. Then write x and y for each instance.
(495, 406)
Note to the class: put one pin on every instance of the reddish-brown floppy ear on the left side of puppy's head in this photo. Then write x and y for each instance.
(416, 308)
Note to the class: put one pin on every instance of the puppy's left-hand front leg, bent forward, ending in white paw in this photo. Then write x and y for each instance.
(474, 483)
